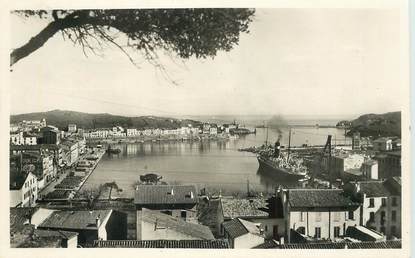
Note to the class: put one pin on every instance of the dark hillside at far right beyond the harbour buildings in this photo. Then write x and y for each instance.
(388, 124)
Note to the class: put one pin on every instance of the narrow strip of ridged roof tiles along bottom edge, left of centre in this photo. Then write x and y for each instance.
(196, 244)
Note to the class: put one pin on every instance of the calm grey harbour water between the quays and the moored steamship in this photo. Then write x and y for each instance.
(216, 165)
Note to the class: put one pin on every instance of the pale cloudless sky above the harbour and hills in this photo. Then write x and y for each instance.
(303, 62)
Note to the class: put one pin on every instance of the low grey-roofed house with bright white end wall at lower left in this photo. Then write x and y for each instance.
(90, 225)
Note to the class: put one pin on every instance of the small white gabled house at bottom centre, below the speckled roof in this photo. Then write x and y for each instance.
(242, 233)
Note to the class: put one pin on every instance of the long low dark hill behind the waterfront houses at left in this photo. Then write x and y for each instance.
(61, 119)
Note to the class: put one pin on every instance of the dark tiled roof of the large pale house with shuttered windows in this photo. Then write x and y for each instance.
(319, 198)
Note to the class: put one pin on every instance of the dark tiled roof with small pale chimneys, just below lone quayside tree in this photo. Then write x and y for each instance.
(165, 194)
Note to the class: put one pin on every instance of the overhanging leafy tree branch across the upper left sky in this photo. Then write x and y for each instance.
(199, 33)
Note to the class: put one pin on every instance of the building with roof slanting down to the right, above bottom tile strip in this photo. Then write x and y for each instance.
(154, 225)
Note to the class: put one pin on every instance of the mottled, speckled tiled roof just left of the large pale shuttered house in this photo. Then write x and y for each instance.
(243, 208)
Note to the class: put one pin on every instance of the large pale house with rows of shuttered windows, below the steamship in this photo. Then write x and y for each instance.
(317, 213)
